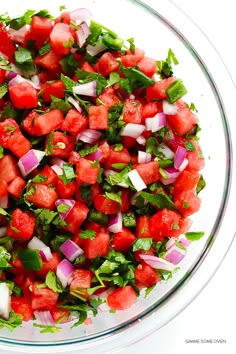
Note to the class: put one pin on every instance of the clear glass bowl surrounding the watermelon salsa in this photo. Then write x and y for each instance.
(157, 26)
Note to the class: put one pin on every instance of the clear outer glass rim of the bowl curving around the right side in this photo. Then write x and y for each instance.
(179, 22)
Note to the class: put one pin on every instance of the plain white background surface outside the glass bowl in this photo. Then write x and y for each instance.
(212, 314)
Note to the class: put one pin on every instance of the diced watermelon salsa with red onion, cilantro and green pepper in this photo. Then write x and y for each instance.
(99, 169)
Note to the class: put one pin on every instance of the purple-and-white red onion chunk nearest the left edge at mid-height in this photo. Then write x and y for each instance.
(28, 162)
